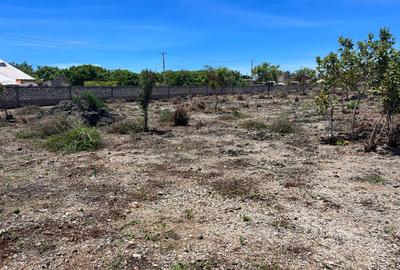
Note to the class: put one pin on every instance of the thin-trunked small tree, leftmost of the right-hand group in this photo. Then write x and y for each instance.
(328, 72)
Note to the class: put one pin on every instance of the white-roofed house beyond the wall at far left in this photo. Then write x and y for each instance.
(10, 75)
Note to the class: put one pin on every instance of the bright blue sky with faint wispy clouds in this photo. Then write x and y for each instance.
(131, 34)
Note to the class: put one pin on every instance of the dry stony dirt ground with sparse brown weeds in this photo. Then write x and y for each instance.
(212, 195)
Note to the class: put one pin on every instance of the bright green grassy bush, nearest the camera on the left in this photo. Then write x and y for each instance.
(74, 140)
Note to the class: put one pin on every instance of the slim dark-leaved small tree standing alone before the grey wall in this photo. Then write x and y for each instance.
(147, 81)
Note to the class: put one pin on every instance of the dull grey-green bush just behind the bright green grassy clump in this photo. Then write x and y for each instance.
(46, 127)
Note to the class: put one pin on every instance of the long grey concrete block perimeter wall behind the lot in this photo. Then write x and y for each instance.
(14, 97)
